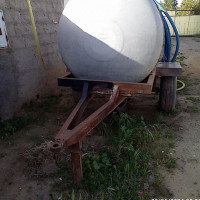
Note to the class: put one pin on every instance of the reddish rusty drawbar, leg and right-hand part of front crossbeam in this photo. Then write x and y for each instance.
(72, 133)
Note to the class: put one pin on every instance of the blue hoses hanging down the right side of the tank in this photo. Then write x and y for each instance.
(167, 52)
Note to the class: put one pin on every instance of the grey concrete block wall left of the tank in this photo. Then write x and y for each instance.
(22, 77)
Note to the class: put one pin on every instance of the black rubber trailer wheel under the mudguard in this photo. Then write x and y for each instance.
(167, 99)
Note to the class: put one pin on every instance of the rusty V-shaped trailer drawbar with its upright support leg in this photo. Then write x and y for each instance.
(71, 137)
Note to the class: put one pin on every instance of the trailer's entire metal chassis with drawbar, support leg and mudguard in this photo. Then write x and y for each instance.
(73, 131)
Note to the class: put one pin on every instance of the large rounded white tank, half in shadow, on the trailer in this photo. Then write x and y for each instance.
(116, 40)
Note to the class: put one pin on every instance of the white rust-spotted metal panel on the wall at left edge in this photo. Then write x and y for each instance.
(3, 33)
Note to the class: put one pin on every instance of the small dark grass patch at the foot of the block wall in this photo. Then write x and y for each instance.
(10, 127)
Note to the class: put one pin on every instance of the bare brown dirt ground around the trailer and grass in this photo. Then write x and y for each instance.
(19, 180)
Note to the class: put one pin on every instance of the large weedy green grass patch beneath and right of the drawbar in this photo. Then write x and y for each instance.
(122, 169)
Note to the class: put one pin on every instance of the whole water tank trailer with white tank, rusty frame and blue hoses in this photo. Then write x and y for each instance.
(113, 47)
